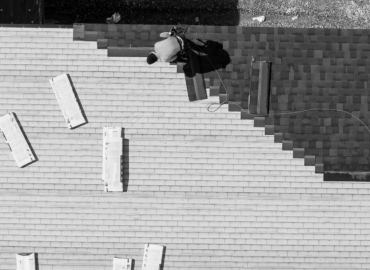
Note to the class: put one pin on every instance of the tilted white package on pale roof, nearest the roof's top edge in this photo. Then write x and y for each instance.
(67, 100)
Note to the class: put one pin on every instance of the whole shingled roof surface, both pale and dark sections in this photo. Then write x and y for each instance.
(217, 189)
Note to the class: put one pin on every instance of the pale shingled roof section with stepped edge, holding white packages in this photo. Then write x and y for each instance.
(212, 188)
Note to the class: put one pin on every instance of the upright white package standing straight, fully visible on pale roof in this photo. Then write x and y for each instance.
(112, 157)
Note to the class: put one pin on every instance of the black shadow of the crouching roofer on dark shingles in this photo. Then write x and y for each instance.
(209, 56)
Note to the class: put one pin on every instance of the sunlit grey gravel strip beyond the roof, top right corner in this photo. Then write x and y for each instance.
(311, 13)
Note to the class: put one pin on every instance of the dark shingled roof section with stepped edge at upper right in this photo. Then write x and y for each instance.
(321, 70)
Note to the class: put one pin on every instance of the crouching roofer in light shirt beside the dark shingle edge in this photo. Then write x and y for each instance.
(167, 50)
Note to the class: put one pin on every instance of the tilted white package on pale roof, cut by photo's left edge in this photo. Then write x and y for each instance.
(14, 137)
